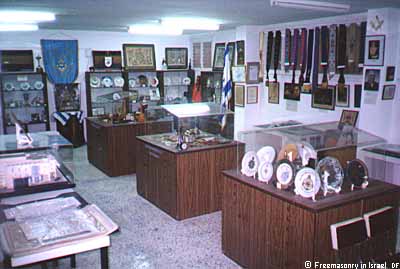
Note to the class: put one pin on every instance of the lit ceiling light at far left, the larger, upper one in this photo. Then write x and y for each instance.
(25, 16)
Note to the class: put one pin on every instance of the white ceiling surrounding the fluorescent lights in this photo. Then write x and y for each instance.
(116, 15)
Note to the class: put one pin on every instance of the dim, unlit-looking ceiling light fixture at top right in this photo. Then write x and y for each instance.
(312, 5)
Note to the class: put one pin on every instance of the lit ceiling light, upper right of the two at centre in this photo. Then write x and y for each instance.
(192, 23)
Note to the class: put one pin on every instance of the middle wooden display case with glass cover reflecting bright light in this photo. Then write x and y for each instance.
(180, 171)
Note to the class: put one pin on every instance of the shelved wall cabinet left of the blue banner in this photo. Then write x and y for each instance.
(24, 94)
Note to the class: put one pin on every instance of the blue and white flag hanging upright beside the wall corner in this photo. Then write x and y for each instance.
(226, 87)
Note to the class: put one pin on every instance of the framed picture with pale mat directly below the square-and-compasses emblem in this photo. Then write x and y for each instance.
(375, 53)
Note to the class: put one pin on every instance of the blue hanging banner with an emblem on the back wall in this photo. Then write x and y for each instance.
(60, 59)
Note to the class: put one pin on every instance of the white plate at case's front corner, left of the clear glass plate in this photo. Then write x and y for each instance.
(307, 183)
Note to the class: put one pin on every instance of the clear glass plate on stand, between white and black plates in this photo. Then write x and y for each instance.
(331, 174)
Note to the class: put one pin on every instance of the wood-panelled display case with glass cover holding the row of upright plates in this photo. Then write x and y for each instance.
(291, 185)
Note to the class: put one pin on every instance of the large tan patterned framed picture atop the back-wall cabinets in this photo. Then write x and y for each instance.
(139, 56)
